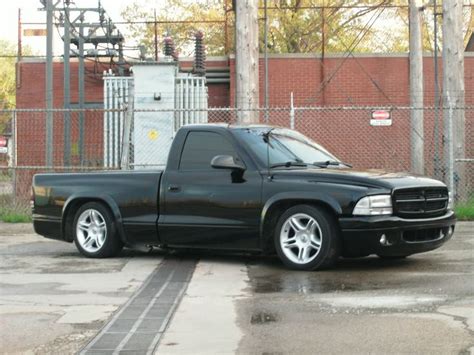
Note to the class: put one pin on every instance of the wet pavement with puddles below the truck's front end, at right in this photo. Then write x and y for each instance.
(422, 304)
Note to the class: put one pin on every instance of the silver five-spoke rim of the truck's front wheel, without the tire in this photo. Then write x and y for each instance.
(301, 238)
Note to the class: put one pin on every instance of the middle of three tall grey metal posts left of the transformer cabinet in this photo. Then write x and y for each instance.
(67, 98)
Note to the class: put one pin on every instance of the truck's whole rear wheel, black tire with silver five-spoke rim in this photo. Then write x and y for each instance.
(95, 234)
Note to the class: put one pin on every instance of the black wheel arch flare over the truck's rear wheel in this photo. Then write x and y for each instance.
(74, 202)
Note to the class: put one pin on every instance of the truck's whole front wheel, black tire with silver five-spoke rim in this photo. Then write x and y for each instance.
(307, 238)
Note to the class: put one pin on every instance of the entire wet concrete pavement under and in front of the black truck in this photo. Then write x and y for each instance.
(52, 300)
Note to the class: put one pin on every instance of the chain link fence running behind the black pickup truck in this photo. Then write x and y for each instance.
(87, 140)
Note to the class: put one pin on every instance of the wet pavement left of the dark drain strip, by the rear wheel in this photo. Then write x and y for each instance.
(53, 300)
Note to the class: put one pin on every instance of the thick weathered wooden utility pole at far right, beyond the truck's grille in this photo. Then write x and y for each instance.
(453, 95)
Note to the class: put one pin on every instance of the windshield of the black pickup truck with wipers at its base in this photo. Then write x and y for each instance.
(285, 147)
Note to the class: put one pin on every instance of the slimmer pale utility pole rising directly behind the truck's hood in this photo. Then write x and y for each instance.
(416, 89)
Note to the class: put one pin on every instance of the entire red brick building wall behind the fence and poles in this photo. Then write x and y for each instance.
(360, 81)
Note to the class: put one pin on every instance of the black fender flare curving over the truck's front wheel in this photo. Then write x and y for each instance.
(310, 196)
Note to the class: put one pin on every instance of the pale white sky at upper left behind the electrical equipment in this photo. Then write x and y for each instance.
(30, 13)
